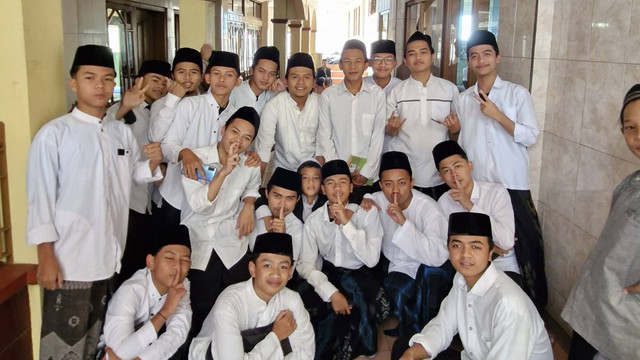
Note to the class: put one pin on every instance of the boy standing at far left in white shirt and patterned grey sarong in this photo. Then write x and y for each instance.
(79, 178)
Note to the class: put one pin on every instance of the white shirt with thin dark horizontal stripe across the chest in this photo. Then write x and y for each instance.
(421, 106)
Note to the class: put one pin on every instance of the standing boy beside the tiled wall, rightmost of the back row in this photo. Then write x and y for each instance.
(498, 125)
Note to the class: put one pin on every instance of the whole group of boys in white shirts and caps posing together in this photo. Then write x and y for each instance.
(370, 209)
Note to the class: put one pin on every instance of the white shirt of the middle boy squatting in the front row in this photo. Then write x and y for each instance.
(237, 309)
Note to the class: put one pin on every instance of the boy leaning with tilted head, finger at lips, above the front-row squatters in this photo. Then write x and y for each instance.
(220, 214)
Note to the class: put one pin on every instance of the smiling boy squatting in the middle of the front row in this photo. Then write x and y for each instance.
(260, 318)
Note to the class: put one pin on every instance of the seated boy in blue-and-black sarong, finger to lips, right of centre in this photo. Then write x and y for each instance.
(414, 246)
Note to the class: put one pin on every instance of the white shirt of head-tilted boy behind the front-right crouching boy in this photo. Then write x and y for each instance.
(493, 200)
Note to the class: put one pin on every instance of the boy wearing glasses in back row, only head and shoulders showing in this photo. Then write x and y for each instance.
(383, 61)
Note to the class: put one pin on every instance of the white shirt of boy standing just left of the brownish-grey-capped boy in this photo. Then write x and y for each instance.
(292, 130)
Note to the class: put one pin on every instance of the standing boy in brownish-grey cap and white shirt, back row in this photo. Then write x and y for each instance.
(352, 114)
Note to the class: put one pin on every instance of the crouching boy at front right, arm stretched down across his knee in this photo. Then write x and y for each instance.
(493, 316)
